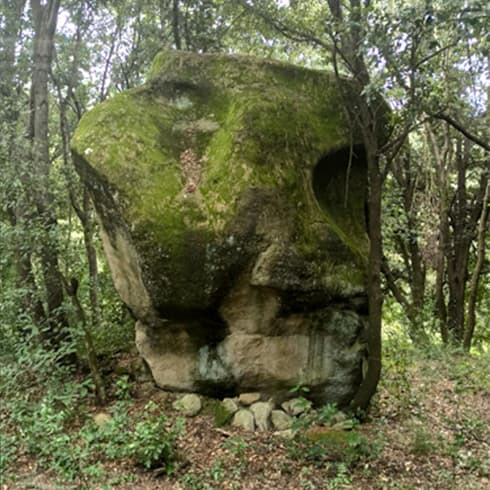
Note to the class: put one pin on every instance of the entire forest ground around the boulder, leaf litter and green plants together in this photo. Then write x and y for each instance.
(428, 428)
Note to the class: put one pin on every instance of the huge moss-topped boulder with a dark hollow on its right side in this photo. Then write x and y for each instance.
(231, 210)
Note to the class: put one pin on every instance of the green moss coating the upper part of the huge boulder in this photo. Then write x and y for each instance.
(180, 151)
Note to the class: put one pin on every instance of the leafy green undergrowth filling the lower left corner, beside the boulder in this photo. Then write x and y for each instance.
(48, 418)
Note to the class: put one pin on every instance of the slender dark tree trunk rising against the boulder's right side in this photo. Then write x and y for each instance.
(346, 24)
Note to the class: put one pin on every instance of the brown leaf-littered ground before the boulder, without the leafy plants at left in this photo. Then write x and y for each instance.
(428, 428)
